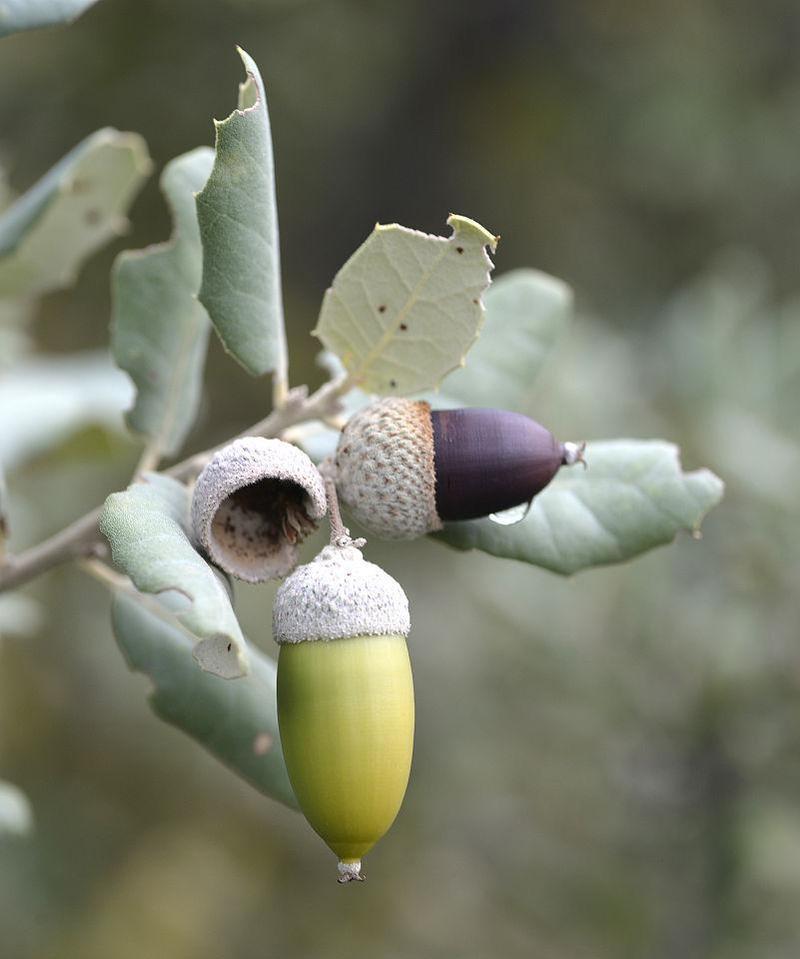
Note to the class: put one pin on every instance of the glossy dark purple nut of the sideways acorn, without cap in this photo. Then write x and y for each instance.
(488, 460)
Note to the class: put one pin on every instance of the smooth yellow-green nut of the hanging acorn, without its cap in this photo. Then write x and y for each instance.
(346, 718)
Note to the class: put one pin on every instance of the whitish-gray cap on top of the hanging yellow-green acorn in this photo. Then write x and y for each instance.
(336, 596)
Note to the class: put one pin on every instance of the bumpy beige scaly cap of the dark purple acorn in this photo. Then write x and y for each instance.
(385, 469)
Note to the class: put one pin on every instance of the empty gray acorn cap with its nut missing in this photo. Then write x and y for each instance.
(253, 503)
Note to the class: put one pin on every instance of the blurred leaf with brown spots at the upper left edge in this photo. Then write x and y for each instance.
(77, 207)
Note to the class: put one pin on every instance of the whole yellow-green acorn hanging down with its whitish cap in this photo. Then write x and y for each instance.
(345, 698)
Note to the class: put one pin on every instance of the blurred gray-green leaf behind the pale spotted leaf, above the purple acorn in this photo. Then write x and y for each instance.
(526, 313)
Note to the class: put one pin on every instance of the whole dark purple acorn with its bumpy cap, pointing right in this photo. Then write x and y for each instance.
(403, 470)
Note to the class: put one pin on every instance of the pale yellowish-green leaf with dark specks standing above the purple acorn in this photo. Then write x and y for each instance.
(405, 308)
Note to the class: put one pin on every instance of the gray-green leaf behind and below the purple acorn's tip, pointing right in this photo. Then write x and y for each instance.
(633, 497)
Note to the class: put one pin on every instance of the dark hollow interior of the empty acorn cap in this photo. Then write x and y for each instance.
(257, 522)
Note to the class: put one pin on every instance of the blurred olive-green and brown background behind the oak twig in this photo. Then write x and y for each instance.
(607, 766)
